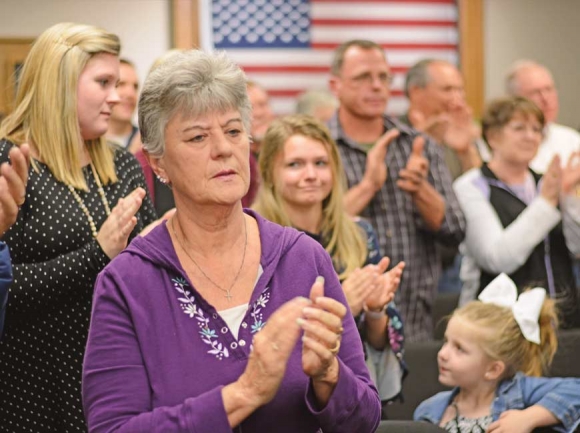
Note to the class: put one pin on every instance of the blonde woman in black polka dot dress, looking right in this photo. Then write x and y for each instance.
(84, 202)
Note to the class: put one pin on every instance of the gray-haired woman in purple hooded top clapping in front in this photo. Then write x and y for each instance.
(219, 320)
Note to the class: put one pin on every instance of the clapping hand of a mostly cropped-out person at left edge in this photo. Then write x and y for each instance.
(13, 179)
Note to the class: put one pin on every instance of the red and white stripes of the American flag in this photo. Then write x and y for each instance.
(409, 30)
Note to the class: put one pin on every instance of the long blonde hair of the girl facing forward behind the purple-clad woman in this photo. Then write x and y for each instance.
(345, 241)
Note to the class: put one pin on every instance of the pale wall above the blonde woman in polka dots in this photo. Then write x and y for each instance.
(142, 25)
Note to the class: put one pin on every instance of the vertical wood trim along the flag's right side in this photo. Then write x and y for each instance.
(471, 52)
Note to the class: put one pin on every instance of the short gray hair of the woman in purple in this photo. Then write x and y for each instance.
(193, 83)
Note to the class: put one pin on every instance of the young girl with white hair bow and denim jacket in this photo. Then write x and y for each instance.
(494, 352)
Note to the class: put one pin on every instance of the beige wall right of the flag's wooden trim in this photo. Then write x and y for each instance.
(545, 31)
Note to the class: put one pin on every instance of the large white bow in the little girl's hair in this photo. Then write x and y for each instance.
(503, 291)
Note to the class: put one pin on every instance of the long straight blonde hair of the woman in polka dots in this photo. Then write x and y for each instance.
(46, 102)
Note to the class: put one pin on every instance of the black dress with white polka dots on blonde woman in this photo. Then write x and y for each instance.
(55, 263)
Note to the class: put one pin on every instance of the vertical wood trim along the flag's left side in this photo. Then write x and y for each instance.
(184, 24)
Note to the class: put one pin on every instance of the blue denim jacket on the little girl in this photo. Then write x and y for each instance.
(561, 396)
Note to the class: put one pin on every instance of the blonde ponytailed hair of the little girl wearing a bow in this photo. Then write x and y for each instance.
(501, 337)
